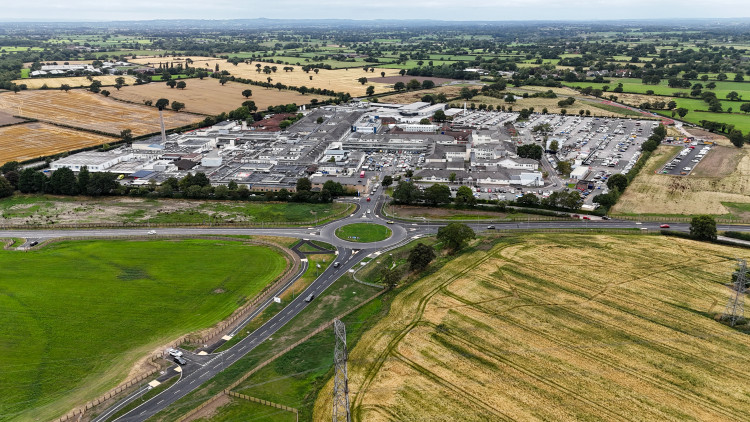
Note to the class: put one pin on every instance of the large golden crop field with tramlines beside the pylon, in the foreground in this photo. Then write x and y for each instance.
(558, 327)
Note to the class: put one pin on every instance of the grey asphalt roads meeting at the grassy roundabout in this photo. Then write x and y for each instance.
(202, 368)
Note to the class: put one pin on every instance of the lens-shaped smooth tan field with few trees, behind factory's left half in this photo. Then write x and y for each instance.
(208, 96)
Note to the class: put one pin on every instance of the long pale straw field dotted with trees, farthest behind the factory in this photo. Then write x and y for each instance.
(337, 80)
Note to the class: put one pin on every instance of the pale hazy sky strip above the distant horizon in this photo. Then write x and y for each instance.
(499, 10)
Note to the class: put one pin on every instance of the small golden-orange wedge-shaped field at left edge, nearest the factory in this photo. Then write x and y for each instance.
(32, 140)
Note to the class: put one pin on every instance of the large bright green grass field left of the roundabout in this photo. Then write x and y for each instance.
(83, 312)
